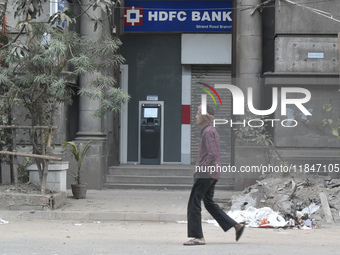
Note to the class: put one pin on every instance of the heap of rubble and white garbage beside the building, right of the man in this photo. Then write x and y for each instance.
(302, 201)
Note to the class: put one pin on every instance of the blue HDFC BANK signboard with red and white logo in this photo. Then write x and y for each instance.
(178, 16)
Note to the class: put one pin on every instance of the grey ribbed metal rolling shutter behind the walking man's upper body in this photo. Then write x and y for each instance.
(211, 75)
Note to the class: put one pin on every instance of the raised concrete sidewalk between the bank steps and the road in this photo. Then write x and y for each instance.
(123, 205)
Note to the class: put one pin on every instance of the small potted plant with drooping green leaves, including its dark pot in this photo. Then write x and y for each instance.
(79, 152)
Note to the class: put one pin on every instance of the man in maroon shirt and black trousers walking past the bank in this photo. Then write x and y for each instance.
(204, 183)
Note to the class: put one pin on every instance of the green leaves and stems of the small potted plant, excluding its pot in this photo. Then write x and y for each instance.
(79, 153)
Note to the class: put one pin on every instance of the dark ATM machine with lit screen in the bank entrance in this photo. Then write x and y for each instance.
(151, 135)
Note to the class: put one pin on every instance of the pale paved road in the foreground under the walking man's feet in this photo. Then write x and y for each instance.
(59, 237)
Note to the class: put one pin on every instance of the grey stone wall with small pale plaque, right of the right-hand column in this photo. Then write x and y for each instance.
(306, 55)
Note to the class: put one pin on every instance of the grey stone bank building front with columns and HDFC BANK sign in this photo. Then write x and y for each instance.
(178, 52)
